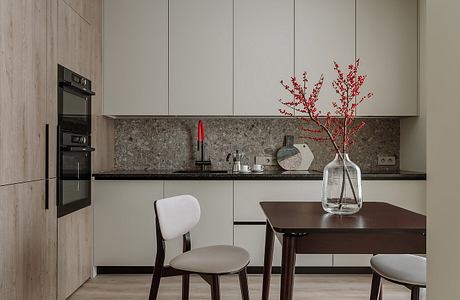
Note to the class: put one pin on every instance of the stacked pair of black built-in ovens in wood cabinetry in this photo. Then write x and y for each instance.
(74, 141)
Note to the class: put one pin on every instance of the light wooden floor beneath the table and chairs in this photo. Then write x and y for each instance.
(307, 287)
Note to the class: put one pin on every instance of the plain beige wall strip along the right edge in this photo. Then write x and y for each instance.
(443, 146)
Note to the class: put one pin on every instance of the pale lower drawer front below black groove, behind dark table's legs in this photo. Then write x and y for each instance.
(252, 238)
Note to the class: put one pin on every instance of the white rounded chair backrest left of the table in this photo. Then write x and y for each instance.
(177, 215)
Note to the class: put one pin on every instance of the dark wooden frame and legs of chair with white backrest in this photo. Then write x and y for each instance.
(160, 270)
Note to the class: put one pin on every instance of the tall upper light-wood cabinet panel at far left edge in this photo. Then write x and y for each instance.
(22, 90)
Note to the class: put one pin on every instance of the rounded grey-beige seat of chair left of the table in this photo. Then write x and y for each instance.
(220, 259)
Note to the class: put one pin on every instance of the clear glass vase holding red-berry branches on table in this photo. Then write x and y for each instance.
(342, 191)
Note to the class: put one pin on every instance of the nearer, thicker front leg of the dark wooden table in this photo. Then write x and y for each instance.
(287, 267)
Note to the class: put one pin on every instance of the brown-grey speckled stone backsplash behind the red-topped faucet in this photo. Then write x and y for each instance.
(170, 143)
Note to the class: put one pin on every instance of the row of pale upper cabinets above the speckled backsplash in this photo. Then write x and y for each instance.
(226, 57)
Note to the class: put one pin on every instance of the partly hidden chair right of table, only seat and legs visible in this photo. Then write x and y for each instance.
(404, 269)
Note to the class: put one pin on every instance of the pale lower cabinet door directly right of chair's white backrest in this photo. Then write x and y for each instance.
(216, 202)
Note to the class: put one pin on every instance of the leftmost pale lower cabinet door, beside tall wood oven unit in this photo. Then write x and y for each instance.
(124, 223)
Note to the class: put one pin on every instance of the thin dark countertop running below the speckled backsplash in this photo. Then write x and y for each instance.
(266, 175)
